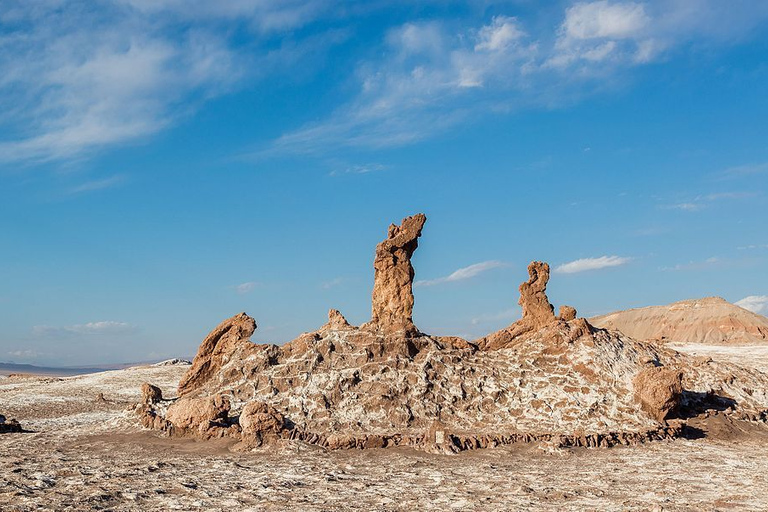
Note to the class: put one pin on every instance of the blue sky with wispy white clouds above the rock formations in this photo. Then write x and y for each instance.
(166, 164)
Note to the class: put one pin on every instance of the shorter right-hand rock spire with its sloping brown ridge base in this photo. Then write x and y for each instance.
(538, 313)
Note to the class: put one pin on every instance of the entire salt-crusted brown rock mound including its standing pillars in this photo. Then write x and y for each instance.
(546, 377)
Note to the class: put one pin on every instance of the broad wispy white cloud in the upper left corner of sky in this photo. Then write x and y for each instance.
(75, 78)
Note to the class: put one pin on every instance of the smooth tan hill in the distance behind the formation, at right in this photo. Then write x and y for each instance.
(709, 321)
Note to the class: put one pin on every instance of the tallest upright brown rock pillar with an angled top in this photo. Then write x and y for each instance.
(392, 304)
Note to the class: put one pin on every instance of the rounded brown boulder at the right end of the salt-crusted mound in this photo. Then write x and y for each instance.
(658, 390)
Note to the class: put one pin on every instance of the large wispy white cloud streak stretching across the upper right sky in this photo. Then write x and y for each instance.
(435, 75)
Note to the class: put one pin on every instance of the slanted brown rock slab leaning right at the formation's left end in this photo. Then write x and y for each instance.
(211, 354)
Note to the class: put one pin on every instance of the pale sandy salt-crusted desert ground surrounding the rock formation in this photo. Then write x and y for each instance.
(84, 453)
